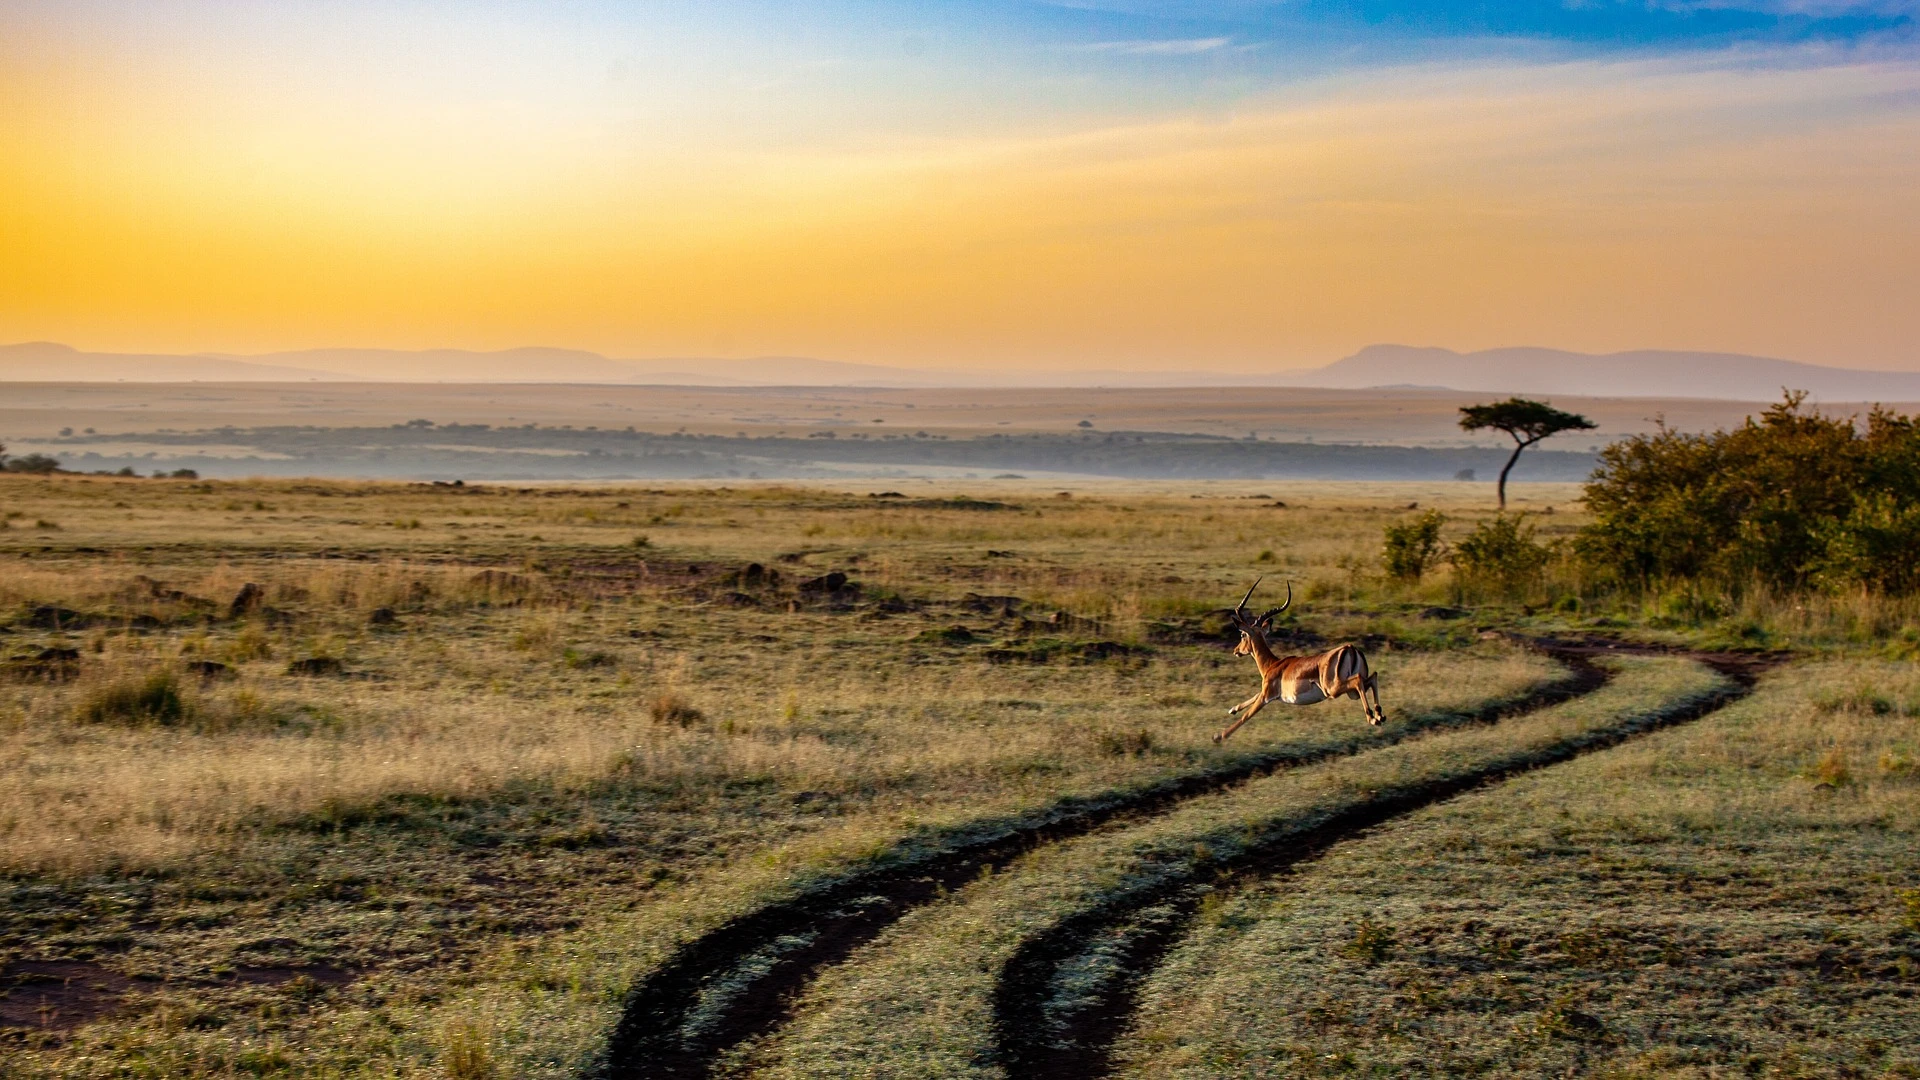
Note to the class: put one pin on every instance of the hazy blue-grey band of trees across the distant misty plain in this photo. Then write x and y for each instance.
(423, 449)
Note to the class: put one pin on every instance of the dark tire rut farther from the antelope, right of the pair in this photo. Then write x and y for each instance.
(1078, 1046)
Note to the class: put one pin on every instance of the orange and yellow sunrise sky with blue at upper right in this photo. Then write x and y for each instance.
(1088, 185)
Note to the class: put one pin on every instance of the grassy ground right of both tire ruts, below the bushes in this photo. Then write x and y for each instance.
(1729, 898)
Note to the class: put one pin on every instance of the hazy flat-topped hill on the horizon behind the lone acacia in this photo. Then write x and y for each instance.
(1644, 374)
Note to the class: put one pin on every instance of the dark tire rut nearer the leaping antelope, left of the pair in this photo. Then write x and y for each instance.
(786, 946)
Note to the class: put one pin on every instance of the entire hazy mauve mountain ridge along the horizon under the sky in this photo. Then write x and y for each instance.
(1541, 372)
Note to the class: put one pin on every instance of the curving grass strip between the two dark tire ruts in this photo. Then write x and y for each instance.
(923, 1002)
